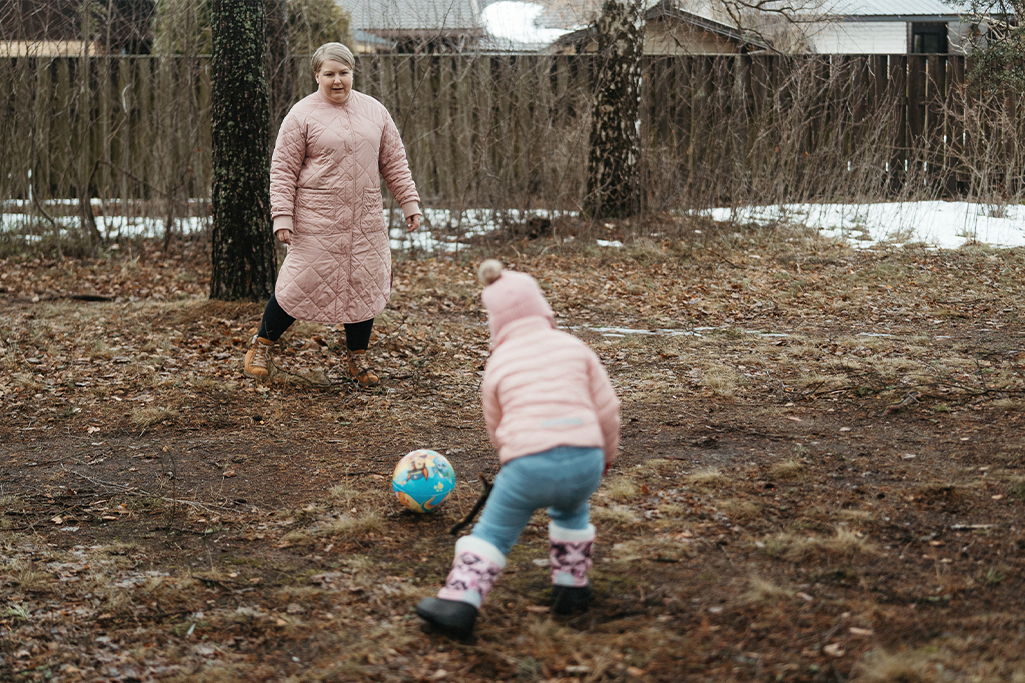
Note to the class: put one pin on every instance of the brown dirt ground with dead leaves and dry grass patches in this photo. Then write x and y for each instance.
(822, 475)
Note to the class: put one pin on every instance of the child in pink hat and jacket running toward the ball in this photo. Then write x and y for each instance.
(552, 414)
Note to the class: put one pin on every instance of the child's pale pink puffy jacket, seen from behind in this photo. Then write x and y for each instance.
(545, 388)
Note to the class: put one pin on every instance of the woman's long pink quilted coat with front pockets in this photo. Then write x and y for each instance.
(325, 187)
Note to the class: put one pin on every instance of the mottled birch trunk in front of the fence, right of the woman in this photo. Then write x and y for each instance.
(613, 165)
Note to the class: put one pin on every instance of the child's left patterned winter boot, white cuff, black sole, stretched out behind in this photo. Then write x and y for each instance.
(474, 573)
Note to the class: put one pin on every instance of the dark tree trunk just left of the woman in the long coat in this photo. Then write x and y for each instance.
(243, 256)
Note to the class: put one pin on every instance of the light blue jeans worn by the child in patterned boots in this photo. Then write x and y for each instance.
(561, 479)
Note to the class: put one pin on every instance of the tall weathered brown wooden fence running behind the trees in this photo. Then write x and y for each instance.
(512, 132)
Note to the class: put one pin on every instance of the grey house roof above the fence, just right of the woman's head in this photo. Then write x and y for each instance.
(414, 17)
